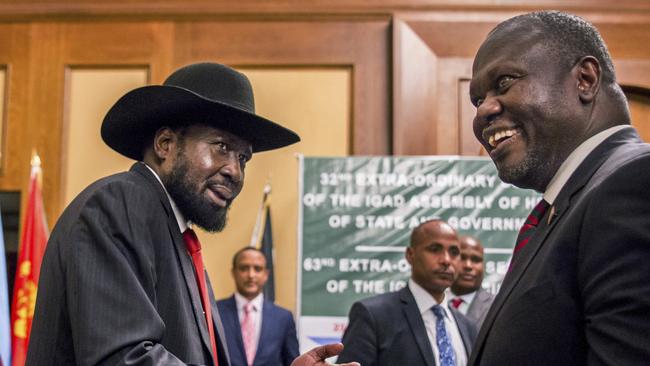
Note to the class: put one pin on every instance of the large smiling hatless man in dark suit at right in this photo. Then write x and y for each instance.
(553, 118)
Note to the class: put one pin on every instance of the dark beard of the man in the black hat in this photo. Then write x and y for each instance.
(186, 192)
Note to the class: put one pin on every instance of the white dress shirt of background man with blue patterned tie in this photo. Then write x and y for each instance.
(425, 302)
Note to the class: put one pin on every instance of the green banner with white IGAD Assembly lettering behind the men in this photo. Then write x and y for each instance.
(357, 214)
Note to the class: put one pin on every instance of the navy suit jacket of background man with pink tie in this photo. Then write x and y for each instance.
(278, 344)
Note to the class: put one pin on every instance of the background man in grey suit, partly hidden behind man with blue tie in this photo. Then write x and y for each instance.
(467, 294)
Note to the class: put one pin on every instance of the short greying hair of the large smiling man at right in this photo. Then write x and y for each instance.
(569, 36)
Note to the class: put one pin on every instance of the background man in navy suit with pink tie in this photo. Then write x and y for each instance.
(258, 332)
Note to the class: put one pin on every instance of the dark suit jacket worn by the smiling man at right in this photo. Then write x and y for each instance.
(579, 291)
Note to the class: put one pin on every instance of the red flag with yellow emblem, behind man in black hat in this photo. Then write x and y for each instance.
(28, 268)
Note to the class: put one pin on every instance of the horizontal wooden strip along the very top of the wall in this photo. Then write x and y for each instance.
(50, 8)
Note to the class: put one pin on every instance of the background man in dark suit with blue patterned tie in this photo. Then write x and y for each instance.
(414, 326)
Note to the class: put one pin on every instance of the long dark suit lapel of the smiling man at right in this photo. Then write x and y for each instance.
(562, 203)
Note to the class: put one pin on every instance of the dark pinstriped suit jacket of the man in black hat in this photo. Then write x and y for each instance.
(117, 286)
